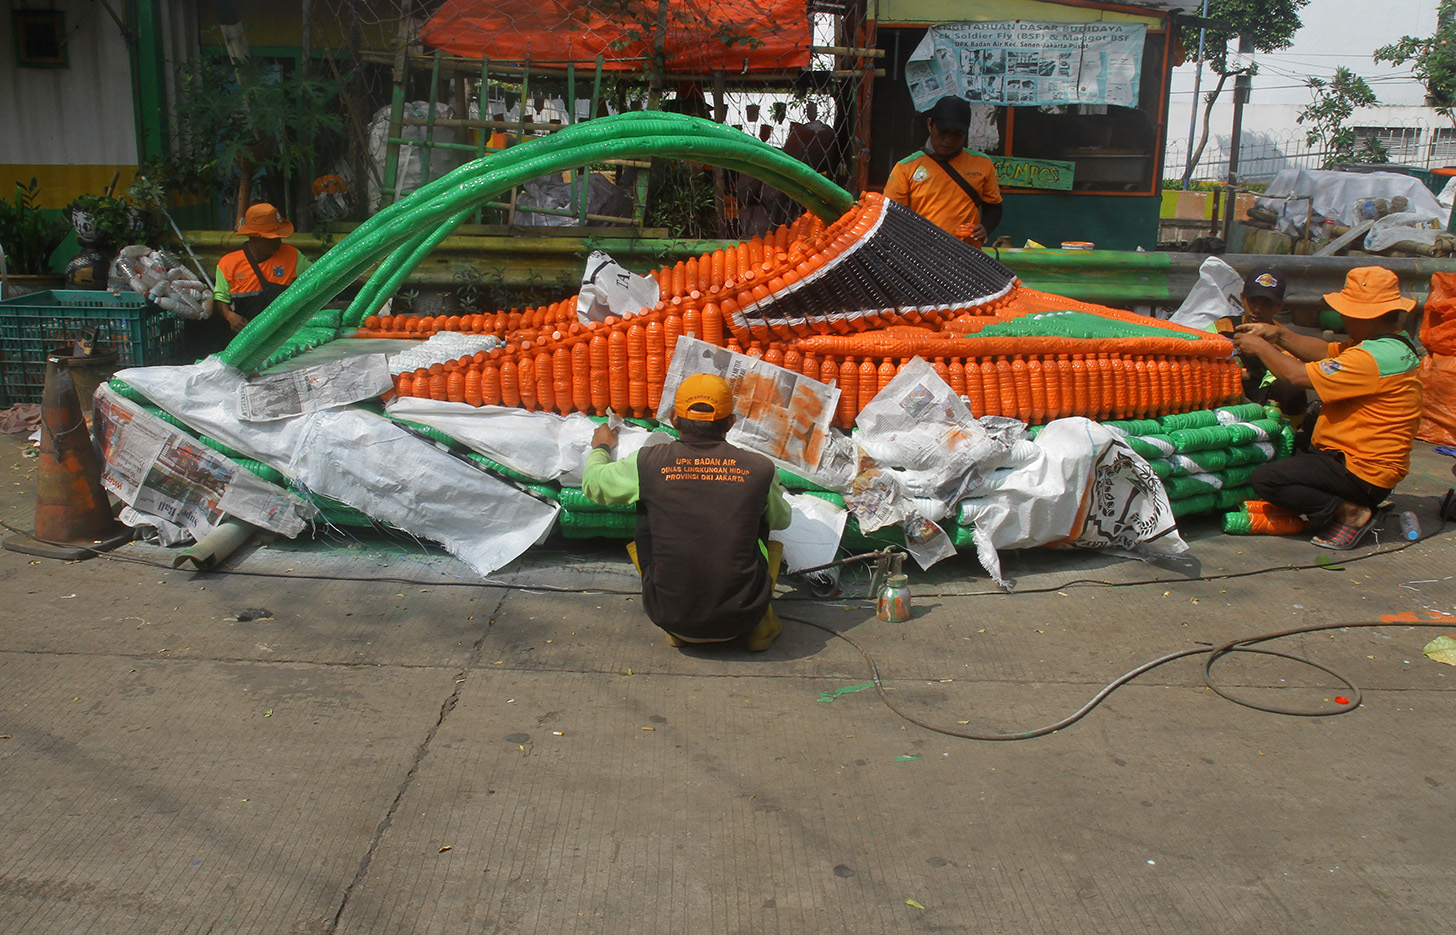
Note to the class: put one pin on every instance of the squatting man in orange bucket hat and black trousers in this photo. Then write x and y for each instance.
(1371, 407)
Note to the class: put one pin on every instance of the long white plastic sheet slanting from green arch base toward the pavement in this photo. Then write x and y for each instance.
(363, 461)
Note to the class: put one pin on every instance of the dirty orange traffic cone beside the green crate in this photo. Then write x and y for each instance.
(72, 513)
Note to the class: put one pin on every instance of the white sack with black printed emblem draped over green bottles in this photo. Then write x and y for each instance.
(1088, 489)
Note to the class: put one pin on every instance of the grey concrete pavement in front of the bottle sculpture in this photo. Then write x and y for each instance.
(359, 738)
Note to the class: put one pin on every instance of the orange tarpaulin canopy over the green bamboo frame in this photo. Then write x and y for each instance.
(703, 36)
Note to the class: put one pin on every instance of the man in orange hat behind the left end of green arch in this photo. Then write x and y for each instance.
(253, 277)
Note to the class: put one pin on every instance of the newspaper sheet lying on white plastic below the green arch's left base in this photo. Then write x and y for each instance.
(311, 390)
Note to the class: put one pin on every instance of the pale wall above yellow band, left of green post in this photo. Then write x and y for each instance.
(75, 116)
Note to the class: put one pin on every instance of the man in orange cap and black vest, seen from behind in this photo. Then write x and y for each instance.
(705, 509)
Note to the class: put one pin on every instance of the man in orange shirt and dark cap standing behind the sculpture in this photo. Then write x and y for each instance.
(951, 187)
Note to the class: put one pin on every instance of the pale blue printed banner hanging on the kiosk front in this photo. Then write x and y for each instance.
(1018, 63)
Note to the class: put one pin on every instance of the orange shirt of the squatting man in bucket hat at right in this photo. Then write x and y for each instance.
(1372, 407)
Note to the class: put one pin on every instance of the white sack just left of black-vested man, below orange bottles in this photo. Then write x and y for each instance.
(539, 445)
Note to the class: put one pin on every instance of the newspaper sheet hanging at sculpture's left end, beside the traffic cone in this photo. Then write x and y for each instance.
(162, 473)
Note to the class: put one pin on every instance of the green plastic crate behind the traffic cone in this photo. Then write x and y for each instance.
(37, 326)
